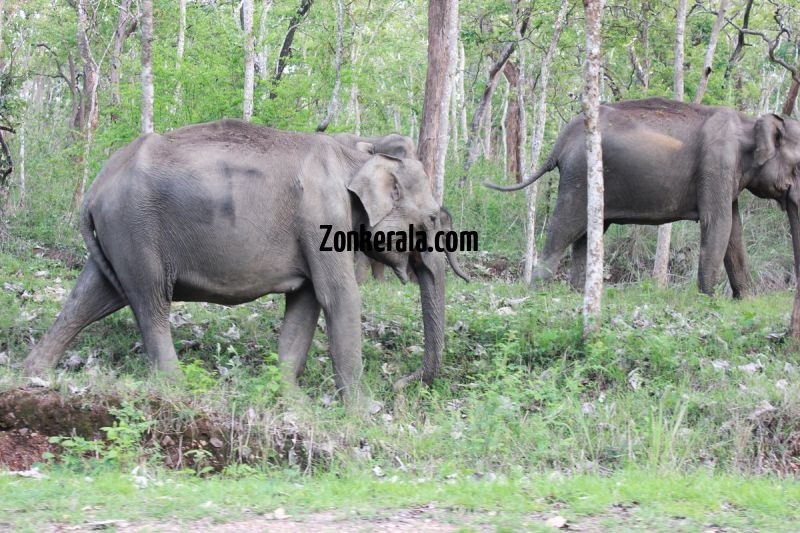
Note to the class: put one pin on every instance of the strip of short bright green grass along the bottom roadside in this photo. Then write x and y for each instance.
(659, 501)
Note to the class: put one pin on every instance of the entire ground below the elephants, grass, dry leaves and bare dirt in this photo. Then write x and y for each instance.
(682, 414)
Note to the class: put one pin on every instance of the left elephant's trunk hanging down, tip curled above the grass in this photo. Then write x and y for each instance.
(430, 274)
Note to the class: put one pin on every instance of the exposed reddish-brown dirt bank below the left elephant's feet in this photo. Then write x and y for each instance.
(202, 441)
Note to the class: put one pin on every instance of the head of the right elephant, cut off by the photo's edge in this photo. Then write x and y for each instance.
(776, 170)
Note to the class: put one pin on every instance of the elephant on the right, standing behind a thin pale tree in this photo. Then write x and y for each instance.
(665, 161)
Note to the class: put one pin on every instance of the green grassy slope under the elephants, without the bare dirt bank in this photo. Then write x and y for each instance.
(676, 403)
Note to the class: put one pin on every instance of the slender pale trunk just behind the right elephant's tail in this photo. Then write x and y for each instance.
(538, 137)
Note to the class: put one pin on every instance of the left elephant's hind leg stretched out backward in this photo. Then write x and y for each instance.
(92, 299)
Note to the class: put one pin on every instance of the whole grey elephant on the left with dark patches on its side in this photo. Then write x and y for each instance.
(228, 211)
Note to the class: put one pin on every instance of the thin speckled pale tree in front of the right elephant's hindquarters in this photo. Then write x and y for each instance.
(594, 166)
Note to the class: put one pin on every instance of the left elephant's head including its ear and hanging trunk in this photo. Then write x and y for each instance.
(395, 193)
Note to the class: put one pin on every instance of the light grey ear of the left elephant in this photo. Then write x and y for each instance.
(376, 186)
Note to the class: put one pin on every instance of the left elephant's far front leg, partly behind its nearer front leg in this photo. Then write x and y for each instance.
(299, 323)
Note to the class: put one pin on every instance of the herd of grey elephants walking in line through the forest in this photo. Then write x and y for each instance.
(229, 211)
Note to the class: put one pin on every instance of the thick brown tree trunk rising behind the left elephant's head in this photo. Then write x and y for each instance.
(441, 20)
